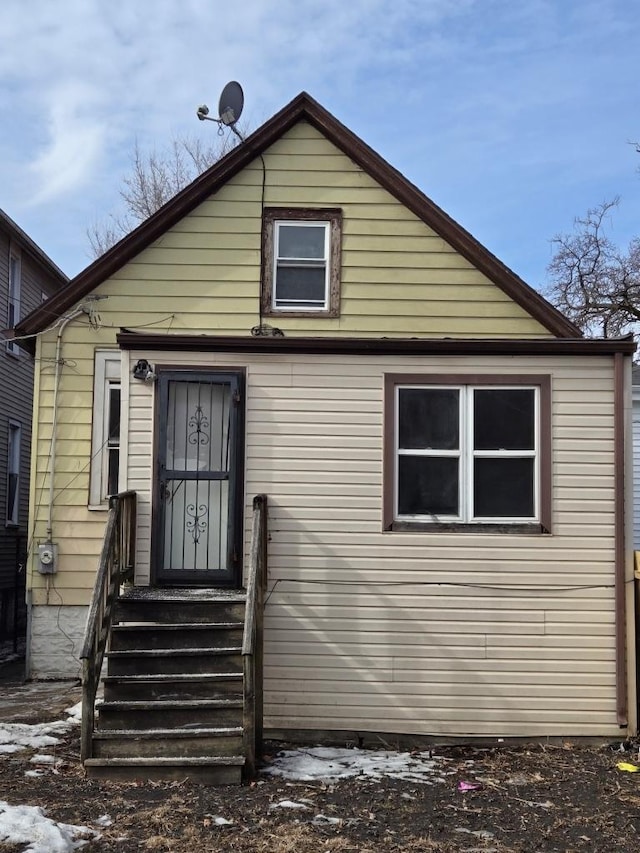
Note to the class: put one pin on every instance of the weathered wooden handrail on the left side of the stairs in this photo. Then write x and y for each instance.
(117, 561)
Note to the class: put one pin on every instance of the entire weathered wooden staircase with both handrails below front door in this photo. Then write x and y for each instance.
(183, 684)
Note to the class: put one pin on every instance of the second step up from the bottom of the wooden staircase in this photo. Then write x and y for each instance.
(167, 743)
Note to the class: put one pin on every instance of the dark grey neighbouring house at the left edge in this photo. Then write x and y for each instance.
(27, 278)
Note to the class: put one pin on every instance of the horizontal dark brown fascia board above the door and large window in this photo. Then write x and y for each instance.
(375, 346)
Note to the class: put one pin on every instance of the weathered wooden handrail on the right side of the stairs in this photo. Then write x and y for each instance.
(252, 639)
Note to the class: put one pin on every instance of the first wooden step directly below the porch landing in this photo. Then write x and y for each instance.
(182, 635)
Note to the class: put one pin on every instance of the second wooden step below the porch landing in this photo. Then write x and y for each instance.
(174, 661)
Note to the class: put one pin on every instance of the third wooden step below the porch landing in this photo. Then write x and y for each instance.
(206, 685)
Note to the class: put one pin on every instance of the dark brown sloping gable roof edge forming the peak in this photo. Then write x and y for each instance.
(302, 108)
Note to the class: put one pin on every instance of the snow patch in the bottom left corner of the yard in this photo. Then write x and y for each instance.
(29, 825)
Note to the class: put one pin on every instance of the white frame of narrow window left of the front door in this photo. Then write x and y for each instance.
(107, 375)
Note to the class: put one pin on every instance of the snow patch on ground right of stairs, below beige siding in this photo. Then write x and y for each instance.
(330, 764)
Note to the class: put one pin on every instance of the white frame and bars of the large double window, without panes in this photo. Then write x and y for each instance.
(466, 453)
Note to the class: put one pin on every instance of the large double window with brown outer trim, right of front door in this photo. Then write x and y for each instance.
(471, 453)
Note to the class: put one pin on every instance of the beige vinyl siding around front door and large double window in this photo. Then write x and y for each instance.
(430, 633)
